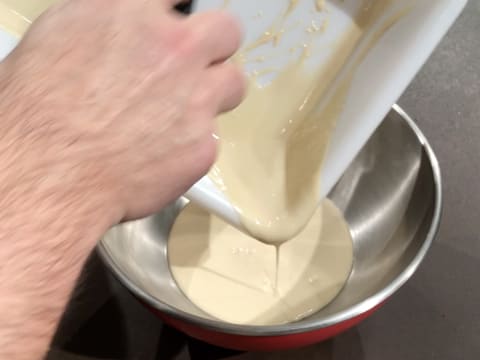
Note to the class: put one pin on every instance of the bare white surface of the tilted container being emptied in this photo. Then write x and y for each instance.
(379, 80)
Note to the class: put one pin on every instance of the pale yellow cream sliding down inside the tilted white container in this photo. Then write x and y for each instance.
(272, 147)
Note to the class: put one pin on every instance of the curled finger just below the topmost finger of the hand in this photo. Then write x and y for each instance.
(227, 84)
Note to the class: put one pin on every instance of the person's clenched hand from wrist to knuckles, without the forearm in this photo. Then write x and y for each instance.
(120, 97)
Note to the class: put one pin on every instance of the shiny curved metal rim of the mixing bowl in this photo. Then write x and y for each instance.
(301, 327)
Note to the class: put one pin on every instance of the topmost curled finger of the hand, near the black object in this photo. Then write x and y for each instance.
(218, 33)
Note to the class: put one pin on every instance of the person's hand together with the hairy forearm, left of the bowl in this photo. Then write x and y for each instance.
(82, 147)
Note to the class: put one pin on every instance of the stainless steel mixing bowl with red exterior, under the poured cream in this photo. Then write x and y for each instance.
(391, 198)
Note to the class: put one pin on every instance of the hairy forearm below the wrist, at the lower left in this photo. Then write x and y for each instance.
(51, 218)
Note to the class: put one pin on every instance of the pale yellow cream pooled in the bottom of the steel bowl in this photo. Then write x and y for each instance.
(233, 277)
